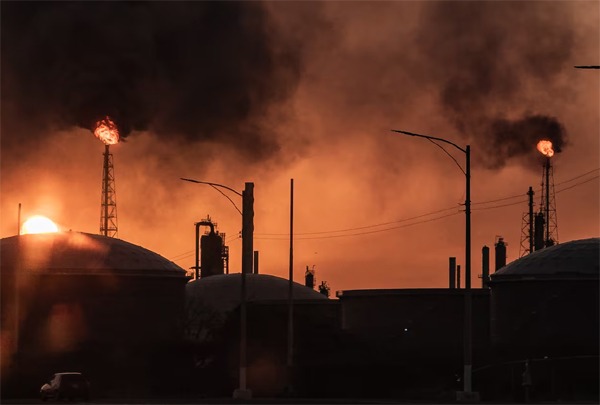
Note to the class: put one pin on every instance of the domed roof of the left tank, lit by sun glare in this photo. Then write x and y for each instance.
(78, 252)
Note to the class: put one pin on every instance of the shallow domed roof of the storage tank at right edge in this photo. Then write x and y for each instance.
(575, 259)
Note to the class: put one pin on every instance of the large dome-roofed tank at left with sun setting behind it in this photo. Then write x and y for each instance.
(74, 300)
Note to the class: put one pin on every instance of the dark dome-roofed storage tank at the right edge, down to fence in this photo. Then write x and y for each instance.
(546, 303)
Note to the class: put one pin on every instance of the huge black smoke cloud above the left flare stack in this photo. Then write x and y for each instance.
(185, 70)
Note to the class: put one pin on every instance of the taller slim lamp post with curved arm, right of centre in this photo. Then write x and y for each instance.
(468, 326)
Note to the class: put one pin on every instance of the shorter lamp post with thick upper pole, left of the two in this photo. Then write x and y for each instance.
(242, 392)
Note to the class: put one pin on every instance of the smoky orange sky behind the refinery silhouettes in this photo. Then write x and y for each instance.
(266, 92)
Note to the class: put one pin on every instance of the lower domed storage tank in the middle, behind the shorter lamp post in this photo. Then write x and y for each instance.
(213, 328)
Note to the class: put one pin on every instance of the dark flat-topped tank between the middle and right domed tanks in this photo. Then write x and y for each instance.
(411, 340)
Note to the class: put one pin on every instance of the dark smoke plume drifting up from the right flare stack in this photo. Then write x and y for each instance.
(496, 59)
